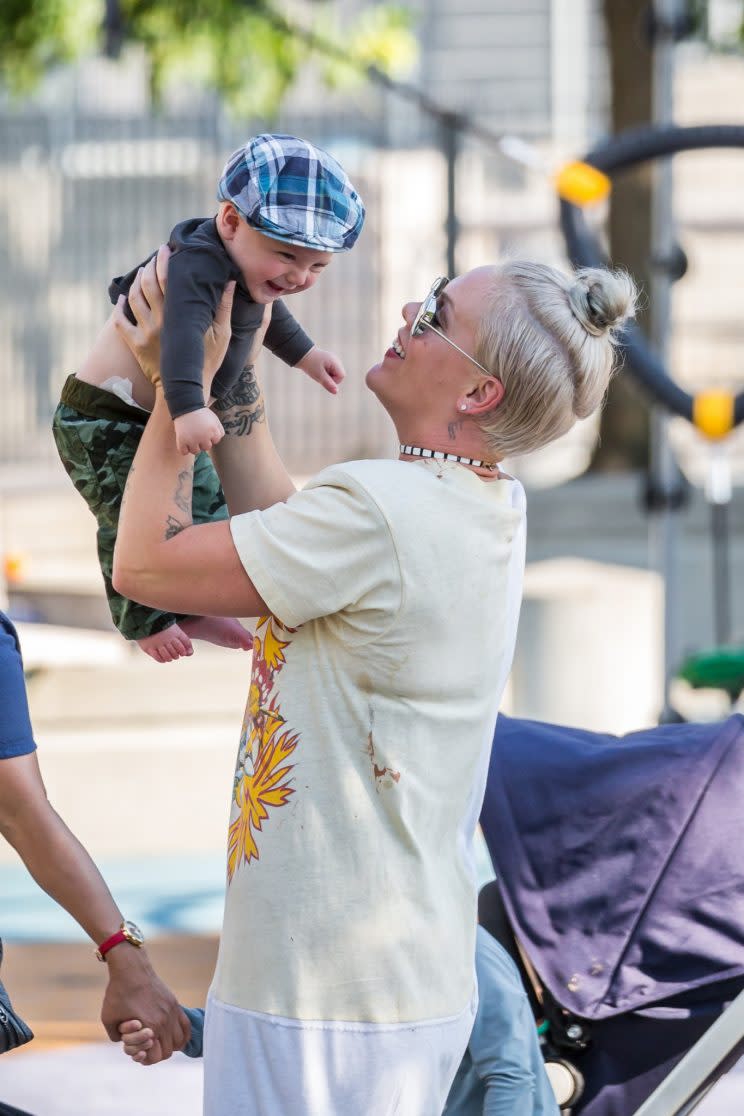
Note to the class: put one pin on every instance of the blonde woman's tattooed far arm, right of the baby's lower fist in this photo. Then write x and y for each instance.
(250, 469)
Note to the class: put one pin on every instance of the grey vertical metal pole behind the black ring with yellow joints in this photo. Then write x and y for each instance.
(664, 536)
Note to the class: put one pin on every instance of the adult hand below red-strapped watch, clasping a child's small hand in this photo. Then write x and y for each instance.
(134, 992)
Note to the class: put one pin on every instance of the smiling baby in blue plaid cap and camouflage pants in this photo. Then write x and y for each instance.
(286, 207)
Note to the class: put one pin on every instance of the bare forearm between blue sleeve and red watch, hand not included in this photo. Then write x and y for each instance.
(53, 855)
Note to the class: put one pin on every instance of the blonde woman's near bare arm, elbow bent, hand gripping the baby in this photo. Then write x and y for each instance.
(161, 559)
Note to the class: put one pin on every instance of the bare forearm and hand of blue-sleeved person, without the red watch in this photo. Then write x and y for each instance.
(61, 865)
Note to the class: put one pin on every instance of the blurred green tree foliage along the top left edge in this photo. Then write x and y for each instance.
(248, 51)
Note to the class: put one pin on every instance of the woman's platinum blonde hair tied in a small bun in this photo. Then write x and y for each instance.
(550, 339)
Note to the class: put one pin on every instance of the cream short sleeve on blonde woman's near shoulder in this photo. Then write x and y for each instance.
(328, 550)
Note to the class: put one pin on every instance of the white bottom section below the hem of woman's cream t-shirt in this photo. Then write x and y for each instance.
(259, 1065)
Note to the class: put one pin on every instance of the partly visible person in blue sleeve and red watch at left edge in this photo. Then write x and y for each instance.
(64, 870)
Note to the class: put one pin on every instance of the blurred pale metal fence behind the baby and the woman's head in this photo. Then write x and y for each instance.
(85, 197)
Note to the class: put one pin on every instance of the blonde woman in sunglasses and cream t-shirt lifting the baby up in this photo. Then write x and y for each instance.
(389, 594)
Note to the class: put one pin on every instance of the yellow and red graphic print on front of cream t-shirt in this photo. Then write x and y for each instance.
(263, 775)
